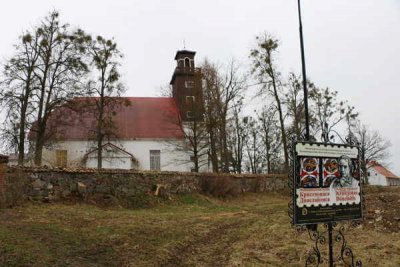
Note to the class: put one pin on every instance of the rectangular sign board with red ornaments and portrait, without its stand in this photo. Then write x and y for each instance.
(326, 179)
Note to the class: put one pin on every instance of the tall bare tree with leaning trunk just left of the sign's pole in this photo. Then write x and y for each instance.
(266, 71)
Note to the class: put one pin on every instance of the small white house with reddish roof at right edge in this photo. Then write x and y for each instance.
(379, 175)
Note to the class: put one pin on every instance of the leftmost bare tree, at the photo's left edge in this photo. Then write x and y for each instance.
(17, 86)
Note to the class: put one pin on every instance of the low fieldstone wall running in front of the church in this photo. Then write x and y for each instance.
(127, 187)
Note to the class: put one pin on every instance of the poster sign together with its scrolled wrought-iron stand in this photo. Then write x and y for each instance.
(316, 201)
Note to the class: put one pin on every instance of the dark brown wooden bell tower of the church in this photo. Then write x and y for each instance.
(186, 87)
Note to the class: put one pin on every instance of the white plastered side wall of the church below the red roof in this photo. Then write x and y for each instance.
(172, 158)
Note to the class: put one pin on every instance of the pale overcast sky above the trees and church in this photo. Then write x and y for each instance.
(351, 46)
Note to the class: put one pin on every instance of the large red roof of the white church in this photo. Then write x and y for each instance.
(133, 117)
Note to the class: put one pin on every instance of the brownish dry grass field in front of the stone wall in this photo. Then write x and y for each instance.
(192, 230)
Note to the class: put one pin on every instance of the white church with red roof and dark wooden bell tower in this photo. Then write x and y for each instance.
(149, 130)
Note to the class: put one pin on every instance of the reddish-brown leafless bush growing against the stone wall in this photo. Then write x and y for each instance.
(220, 186)
